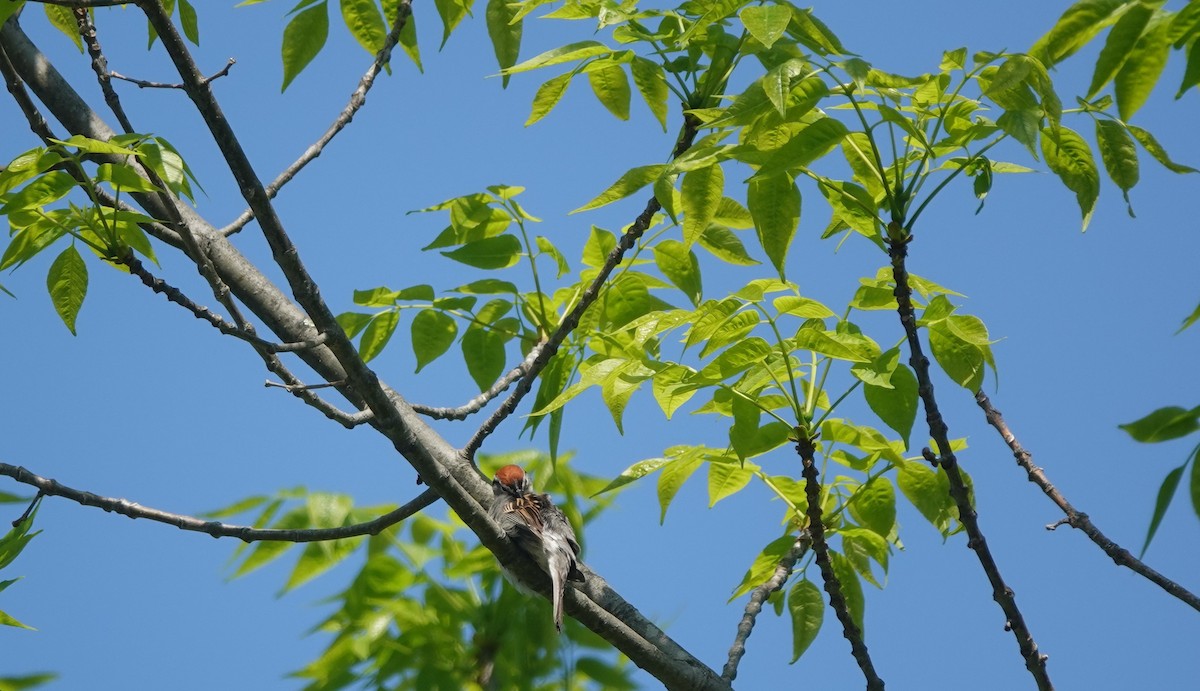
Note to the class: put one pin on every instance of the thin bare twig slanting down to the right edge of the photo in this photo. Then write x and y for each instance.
(1075, 518)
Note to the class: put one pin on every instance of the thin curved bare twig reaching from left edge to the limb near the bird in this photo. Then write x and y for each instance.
(50, 488)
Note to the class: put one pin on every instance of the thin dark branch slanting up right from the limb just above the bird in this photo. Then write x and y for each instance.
(550, 348)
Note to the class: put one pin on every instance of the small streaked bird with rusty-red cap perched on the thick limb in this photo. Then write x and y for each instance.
(539, 528)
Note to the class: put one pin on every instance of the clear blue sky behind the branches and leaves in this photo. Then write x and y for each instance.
(151, 405)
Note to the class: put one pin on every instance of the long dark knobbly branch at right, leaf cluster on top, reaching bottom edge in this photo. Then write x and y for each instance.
(1035, 662)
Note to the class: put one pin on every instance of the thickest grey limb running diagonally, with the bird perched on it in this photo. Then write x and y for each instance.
(439, 464)
